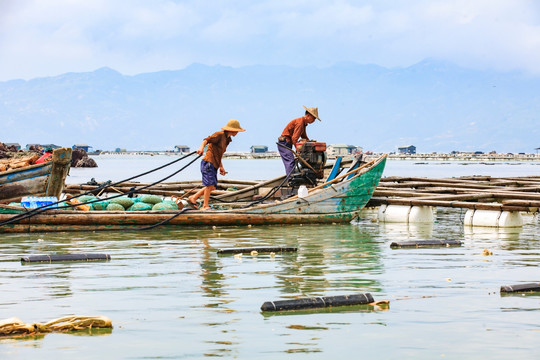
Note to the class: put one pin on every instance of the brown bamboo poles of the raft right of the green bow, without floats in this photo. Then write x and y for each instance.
(468, 192)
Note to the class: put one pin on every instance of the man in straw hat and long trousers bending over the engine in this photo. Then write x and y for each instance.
(295, 130)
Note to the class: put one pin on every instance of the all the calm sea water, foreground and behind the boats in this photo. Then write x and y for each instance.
(171, 296)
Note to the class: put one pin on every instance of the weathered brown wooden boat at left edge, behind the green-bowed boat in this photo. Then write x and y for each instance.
(45, 179)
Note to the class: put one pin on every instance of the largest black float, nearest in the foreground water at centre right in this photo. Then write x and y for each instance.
(318, 302)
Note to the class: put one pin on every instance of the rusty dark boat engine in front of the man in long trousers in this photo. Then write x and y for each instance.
(314, 154)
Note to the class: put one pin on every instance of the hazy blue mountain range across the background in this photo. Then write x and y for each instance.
(432, 105)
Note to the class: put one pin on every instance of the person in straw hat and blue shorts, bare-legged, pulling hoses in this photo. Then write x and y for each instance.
(211, 162)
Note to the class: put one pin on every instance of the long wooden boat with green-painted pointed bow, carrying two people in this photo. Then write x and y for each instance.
(335, 201)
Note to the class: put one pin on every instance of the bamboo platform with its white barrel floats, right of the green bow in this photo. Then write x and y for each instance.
(490, 201)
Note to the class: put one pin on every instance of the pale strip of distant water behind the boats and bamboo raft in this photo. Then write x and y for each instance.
(120, 167)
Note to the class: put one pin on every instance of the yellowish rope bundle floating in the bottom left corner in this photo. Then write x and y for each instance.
(15, 327)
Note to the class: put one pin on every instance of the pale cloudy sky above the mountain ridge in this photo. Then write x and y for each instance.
(40, 38)
